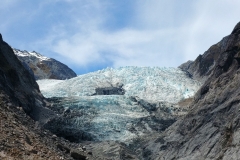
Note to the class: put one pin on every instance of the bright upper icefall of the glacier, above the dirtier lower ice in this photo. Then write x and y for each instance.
(151, 84)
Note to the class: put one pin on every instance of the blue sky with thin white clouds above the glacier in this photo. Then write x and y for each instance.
(89, 35)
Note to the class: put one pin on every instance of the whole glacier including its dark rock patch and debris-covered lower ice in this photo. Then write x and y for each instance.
(117, 104)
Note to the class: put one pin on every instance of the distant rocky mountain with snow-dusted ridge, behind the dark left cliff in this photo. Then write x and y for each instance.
(43, 67)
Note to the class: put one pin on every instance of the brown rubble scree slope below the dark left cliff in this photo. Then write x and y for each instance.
(20, 136)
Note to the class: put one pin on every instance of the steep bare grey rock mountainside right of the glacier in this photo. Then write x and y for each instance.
(211, 129)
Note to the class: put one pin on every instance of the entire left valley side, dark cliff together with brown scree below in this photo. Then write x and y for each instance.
(20, 103)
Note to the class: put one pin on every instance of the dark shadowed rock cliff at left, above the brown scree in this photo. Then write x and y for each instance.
(20, 85)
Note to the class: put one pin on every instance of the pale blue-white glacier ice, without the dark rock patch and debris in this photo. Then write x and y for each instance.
(117, 117)
